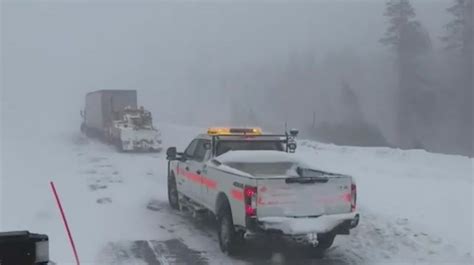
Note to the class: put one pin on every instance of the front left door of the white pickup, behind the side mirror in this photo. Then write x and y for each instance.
(183, 177)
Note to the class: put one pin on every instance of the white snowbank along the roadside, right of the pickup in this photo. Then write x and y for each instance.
(432, 192)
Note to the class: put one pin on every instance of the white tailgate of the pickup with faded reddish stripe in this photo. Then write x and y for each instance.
(298, 197)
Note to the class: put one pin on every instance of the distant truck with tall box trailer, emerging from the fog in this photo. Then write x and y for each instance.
(113, 116)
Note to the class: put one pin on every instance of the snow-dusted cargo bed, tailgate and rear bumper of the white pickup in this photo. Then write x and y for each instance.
(291, 203)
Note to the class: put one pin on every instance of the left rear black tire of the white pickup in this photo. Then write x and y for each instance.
(229, 239)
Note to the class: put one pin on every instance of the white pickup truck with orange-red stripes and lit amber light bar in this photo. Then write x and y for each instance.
(255, 187)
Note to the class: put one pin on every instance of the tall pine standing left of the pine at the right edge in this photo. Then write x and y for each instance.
(411, 44)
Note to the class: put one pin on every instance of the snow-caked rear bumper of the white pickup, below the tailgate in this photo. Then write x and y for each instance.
(296, 227)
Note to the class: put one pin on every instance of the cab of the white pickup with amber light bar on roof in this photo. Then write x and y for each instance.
(192, 163)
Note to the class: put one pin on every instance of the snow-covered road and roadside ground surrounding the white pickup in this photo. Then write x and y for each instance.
(416, 207)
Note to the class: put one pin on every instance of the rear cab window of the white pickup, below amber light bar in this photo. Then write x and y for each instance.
(225, 146)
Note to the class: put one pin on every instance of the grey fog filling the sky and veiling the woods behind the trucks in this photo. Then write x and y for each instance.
(218, 63)
